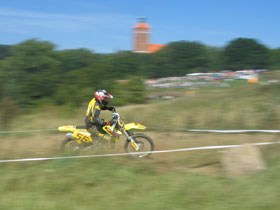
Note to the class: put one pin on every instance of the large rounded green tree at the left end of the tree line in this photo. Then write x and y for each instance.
(31, 71)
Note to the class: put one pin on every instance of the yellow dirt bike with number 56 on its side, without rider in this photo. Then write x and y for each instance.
(78, 138)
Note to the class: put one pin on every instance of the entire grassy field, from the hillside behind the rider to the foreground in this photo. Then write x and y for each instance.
(183, 180)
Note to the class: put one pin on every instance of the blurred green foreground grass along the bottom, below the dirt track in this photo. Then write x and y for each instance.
(109, 184)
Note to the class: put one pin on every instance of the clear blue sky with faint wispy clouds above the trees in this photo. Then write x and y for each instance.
(106, 26)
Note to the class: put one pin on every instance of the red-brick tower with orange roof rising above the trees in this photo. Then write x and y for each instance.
(141, 36)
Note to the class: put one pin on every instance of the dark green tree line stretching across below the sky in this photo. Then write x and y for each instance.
(34, 72)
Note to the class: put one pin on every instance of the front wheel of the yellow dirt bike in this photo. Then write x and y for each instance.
(145, 143)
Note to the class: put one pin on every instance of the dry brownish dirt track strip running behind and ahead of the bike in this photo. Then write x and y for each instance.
(41, 145)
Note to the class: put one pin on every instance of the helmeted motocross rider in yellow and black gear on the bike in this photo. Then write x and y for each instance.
(93, 123)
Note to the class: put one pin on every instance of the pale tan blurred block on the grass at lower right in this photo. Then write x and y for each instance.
(243, 161)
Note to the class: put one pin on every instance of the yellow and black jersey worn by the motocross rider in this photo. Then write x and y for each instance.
(93, 112)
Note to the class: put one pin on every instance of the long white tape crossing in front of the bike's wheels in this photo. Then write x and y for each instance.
(123, 154)
